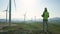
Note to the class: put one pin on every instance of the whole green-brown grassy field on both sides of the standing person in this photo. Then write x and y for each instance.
(30, 28)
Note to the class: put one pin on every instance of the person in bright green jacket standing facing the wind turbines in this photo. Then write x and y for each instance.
(45, 16)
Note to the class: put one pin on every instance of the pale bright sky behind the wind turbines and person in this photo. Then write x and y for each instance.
(31, 8)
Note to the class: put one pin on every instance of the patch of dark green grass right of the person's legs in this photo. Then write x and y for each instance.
(54, 28)
